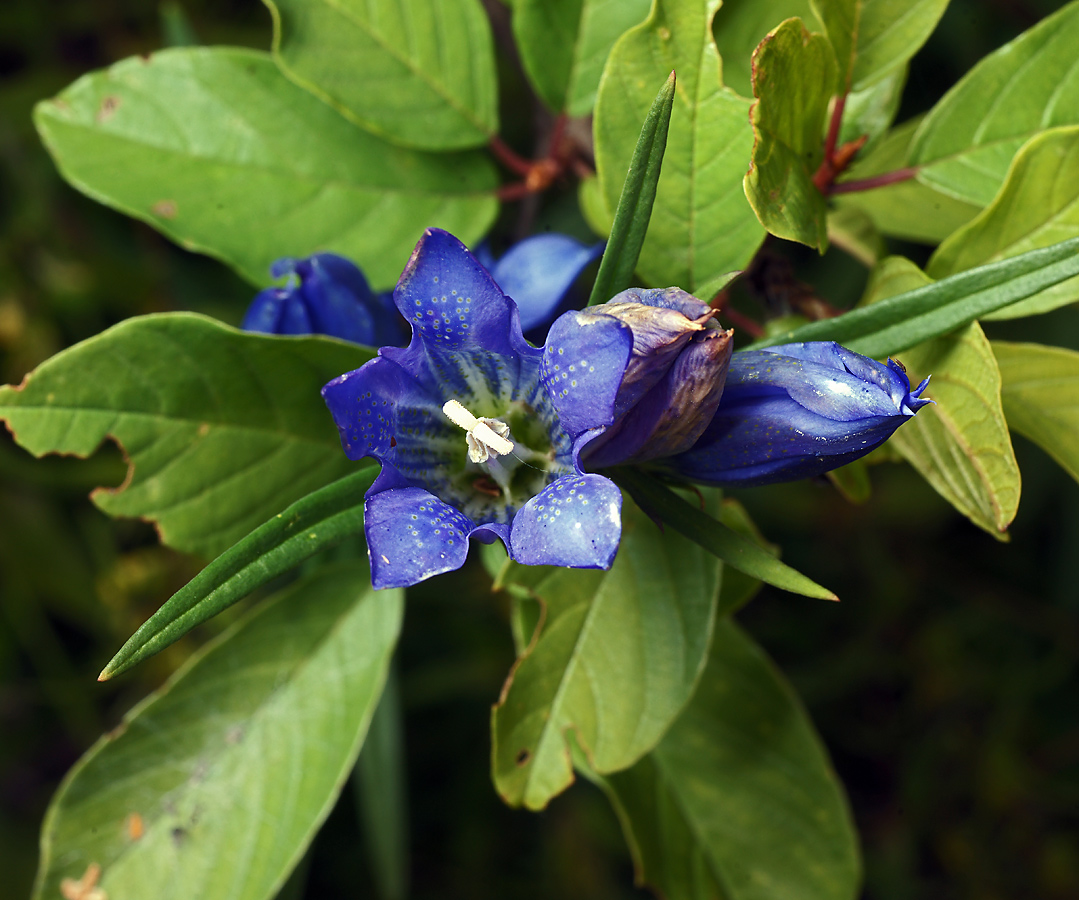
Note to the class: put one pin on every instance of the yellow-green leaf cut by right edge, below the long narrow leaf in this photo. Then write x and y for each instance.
(1042, 398)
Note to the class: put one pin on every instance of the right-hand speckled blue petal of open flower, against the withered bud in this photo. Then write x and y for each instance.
(584, 362)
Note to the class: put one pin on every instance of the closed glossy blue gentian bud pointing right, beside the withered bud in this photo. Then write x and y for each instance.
(797, 411)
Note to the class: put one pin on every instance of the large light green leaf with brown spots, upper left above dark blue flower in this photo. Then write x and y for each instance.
(220, 152)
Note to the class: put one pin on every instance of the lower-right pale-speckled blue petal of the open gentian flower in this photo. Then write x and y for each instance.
(576, 521)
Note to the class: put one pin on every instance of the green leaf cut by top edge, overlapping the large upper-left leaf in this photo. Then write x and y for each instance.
(418, 73)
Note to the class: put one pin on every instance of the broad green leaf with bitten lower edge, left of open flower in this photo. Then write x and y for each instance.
(222, 429)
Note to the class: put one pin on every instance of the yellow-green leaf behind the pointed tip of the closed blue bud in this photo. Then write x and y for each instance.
(961, 445)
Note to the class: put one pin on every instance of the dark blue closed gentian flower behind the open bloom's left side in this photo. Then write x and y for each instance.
(326, 295)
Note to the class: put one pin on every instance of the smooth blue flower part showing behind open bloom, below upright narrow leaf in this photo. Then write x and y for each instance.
(539, 274)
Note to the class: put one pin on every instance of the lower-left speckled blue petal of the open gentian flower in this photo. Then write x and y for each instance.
(412, 536)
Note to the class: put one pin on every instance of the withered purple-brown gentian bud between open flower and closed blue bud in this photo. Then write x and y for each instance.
(676, 364)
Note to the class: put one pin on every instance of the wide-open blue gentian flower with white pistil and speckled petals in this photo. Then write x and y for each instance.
(470, 440)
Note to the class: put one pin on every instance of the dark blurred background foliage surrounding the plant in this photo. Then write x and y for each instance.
(946, 684)
